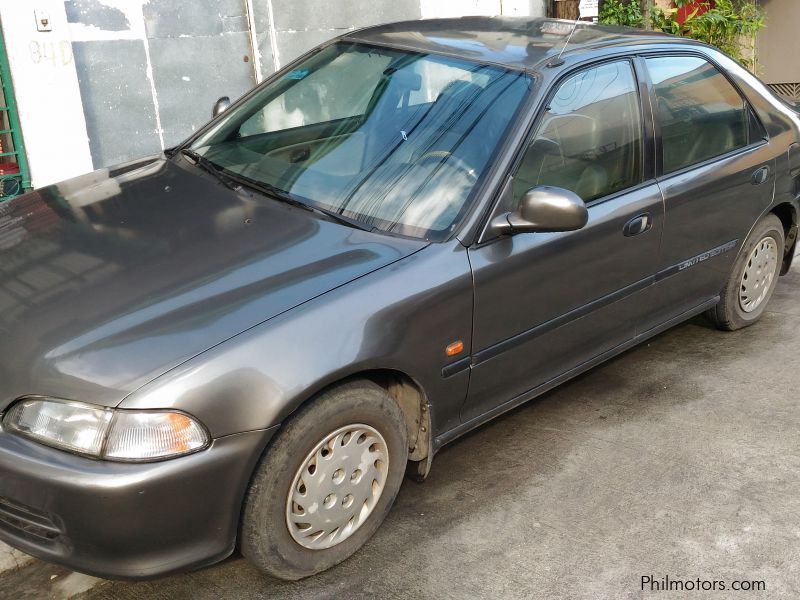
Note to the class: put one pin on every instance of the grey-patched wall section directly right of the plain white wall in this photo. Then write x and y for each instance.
(150, 70)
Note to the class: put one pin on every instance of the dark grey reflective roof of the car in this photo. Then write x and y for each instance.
(511, 41)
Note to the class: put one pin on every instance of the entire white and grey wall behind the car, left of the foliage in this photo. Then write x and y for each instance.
(118, 79)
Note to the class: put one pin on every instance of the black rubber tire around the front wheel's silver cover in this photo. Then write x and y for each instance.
(265, 537)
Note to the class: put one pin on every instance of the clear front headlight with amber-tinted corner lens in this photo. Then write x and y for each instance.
(112, 434)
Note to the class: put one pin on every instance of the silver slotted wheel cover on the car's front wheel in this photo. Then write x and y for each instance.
(337, 486)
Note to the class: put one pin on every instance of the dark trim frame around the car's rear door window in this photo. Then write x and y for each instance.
(660, 175)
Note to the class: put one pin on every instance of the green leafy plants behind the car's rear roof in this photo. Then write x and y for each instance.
(730, 25)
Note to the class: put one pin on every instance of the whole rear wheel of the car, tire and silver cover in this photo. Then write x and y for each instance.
(753, 278)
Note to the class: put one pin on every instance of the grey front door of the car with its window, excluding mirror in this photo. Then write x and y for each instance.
(546, 303)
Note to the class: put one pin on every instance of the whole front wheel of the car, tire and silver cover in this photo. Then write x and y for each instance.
(326, 483)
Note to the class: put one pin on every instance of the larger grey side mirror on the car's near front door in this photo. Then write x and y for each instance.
(544, 209)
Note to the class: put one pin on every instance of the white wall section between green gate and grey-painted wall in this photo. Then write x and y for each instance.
(47, 92)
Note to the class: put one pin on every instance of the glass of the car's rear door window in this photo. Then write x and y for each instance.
(700, 112)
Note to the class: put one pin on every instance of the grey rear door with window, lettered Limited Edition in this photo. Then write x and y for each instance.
(717, 175)
